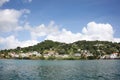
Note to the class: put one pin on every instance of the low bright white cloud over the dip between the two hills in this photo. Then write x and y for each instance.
(64, 36)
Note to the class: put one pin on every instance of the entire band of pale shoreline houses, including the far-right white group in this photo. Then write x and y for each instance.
(84, 53)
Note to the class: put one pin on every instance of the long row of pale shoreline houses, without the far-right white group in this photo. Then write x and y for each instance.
(46, 55)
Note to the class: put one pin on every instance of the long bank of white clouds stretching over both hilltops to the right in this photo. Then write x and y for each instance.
(93, 31)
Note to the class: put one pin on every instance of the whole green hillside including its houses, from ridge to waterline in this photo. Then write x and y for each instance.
(78, 50)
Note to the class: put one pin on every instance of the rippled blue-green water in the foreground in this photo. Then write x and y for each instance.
(60, 70)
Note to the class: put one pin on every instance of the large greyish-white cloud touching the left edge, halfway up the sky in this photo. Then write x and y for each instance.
(9, 19)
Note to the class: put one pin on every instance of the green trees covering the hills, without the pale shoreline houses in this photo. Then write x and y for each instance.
(97, 48)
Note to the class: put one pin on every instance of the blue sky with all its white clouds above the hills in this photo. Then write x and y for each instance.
(27, 22)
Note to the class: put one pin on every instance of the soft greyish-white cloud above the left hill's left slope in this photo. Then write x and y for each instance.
(43, 30)
